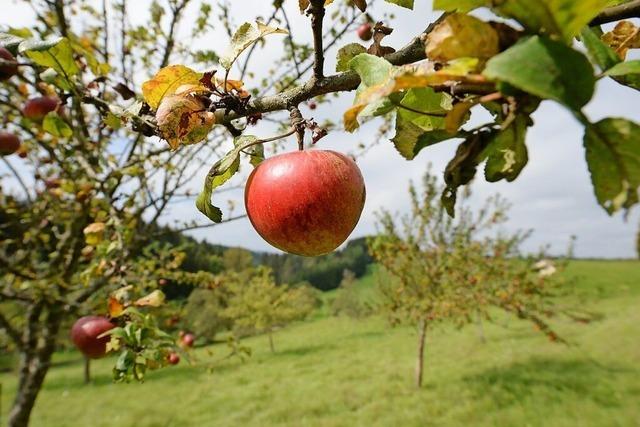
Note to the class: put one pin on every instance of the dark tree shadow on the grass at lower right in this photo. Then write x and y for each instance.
(547, 379)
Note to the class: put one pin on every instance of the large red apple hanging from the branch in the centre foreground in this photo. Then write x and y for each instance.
(305, 202)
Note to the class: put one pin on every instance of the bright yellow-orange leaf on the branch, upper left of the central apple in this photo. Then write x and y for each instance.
(166, 82)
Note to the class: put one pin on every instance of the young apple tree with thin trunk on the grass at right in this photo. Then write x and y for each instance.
(457, 269)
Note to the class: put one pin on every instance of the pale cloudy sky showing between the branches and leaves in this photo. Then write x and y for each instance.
(553, 195)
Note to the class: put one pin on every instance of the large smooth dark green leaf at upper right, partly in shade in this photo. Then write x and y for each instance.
(547, 69)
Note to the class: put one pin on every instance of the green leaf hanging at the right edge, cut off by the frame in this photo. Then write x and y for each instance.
(613, 156)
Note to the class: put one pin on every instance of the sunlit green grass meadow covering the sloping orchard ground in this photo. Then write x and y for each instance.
(342, 372)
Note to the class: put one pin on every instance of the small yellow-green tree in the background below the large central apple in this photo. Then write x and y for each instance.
(257, 303)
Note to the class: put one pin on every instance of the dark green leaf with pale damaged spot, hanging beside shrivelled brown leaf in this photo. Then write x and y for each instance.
(507, 153)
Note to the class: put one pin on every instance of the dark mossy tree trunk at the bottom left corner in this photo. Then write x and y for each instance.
(34, 365)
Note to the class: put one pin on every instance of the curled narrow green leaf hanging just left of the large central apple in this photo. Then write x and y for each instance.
(220, 173)
